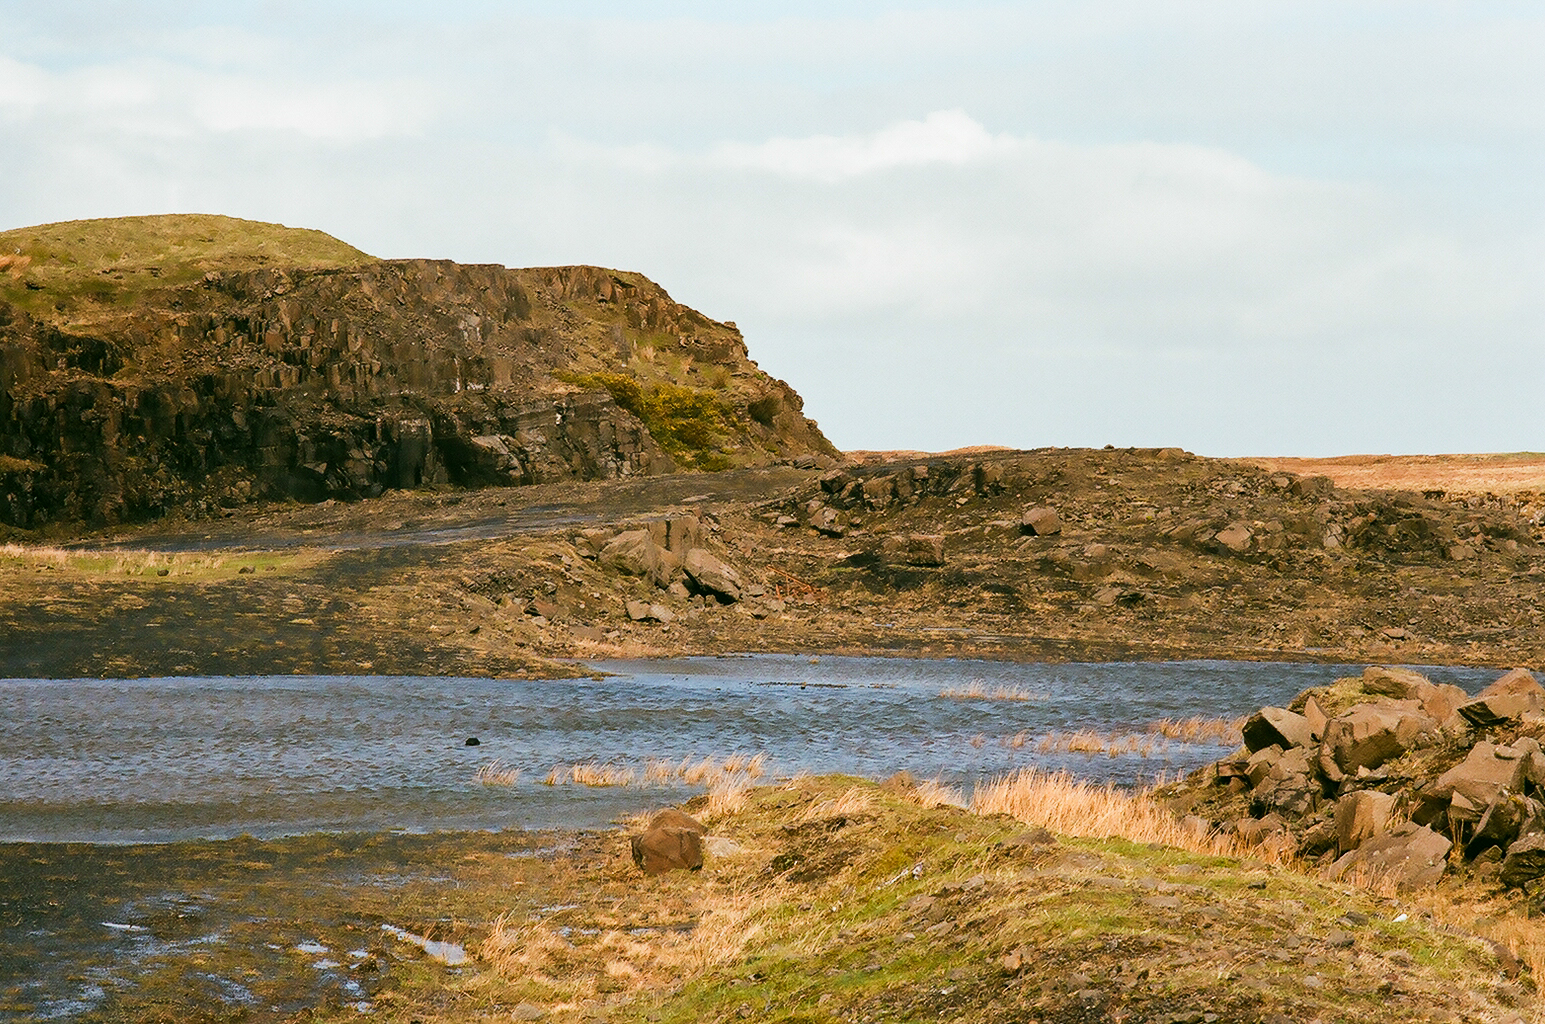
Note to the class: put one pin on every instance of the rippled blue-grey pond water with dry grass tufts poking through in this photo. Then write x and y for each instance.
(135, 761)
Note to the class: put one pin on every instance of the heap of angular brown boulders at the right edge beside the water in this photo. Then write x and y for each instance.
(1390, 775)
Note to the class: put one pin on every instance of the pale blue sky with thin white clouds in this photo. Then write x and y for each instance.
(1271, 228)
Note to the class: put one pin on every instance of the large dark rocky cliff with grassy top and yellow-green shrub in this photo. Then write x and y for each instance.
(202, 362)
